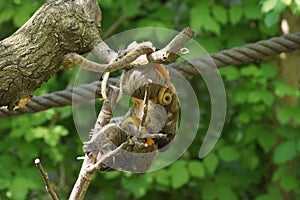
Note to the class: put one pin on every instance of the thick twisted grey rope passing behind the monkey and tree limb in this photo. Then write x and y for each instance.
(237, 55)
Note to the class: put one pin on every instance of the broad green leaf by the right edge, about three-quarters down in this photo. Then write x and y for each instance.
(285, 152)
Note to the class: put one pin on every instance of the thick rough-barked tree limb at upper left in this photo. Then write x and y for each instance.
(34, 53)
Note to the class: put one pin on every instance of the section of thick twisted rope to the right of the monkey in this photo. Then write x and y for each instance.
(239, 55)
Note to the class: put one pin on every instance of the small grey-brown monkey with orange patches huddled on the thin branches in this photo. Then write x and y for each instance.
(149, 125)
